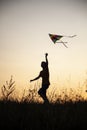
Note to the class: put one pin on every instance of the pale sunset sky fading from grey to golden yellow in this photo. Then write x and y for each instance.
(24, 40)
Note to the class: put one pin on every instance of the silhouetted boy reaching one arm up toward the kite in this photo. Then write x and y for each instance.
(44, 74)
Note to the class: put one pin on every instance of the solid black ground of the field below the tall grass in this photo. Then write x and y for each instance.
(31, 116)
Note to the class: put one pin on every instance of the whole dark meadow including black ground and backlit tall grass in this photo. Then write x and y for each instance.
(68, 111)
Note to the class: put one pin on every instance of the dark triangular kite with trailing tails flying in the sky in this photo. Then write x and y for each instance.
(55, 38)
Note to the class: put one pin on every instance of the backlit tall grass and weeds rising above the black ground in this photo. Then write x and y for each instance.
(55, 96)
